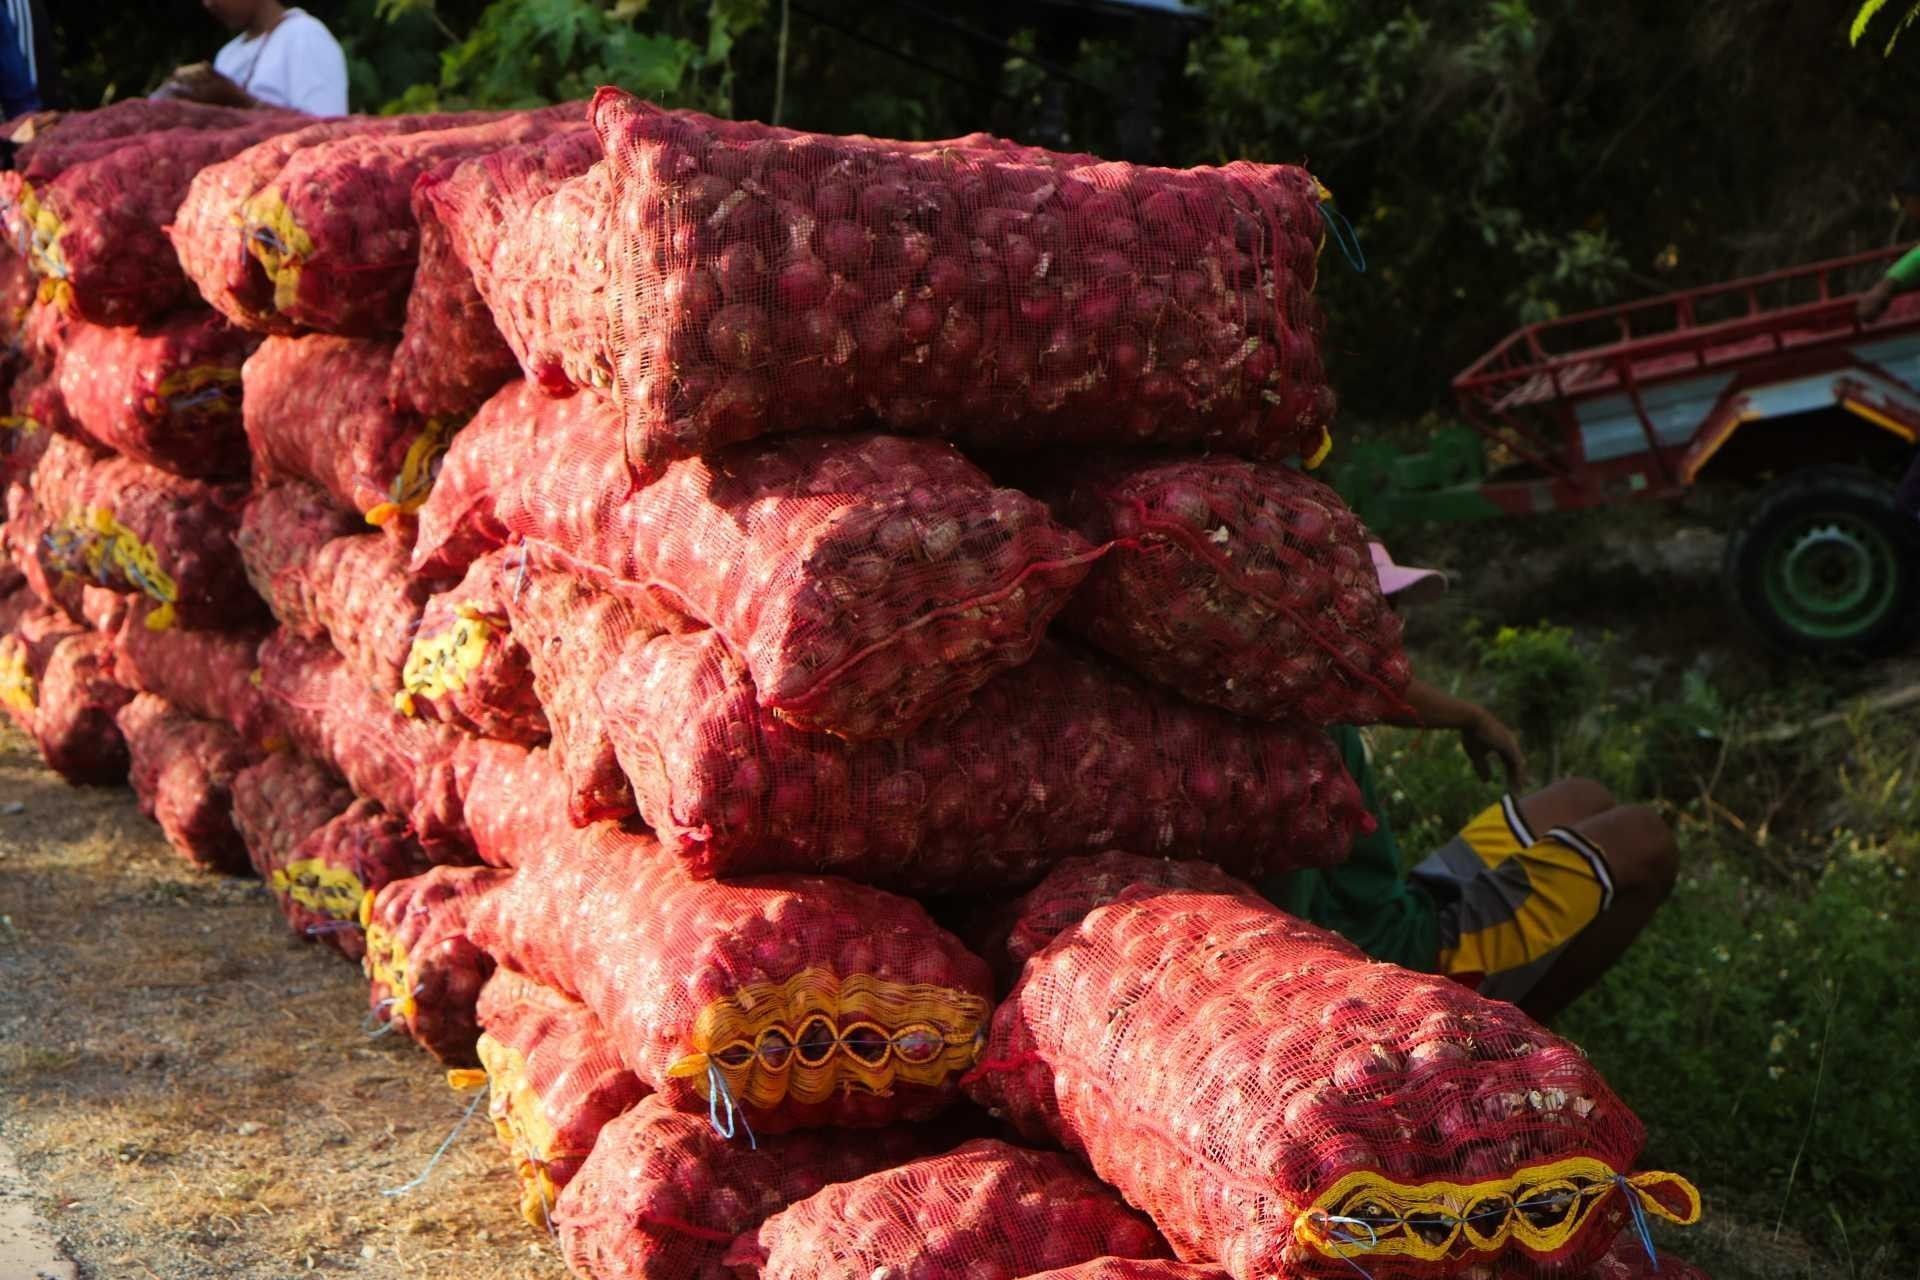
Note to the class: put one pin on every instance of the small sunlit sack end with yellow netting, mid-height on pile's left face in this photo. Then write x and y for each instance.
(468, 667)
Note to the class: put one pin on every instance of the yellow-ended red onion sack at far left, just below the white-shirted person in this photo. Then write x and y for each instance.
(101, 225)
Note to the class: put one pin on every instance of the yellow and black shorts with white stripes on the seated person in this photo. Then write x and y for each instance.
(1510, 901)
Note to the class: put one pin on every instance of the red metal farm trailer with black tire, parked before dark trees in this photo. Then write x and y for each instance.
(1767, 381)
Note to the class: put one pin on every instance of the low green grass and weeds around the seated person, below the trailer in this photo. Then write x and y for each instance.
(1764, 1024)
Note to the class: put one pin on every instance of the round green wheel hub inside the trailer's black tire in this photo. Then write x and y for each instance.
(1833, 577)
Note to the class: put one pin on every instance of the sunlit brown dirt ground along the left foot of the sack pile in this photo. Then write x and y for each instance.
(189, 1089)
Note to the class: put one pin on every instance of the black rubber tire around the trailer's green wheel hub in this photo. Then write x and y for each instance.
(1788, 510)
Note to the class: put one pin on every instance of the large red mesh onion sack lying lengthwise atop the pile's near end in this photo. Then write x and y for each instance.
(807, 283)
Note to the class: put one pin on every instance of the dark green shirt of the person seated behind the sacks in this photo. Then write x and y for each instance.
(1368, 899)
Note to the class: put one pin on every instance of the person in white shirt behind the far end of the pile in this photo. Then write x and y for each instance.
(281, 59)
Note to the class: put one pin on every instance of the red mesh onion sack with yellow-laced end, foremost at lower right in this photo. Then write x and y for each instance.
(1284, 1106)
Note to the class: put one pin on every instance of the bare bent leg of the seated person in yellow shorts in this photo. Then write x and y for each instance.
(1641, 853)
